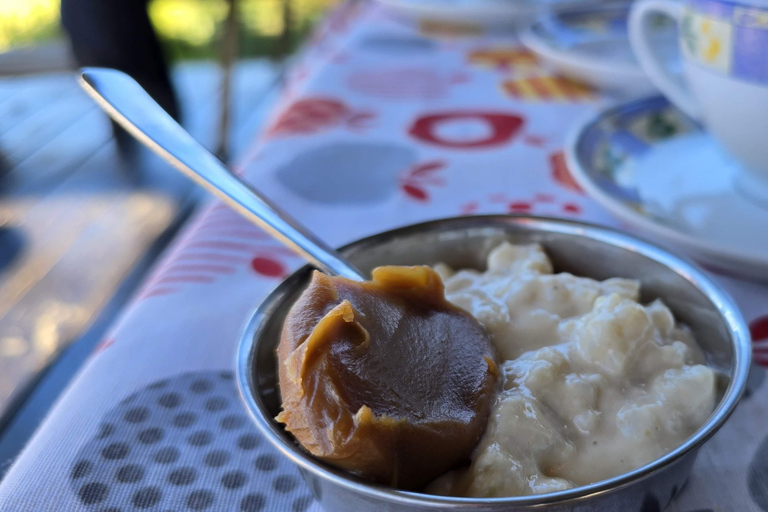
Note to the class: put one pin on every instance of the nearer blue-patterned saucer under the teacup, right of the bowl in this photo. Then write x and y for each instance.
(659, 172)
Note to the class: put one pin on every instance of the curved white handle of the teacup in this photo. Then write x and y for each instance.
(640, 37)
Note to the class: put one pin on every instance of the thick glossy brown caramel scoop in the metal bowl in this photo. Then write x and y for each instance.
(385, 378)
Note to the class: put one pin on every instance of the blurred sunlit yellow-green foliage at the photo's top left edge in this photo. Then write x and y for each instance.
(189, 29)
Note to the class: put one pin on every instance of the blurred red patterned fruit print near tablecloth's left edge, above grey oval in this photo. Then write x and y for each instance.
(314, 114)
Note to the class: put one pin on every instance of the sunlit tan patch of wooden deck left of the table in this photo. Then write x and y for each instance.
(65, 300)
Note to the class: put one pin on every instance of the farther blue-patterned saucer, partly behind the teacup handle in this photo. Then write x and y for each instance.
(590, 44)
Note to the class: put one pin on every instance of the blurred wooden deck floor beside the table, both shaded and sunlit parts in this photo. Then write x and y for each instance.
(76, 208)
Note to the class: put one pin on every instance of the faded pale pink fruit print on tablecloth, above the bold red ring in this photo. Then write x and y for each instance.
(405, 83)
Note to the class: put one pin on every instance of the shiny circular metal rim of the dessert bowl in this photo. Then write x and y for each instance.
(739, 335)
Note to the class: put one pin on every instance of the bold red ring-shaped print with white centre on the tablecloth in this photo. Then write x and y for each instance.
(501, 127)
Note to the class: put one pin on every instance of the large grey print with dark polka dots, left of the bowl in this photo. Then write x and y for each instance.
(184, 444)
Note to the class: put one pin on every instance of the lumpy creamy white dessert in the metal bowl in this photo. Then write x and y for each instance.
(595, 383)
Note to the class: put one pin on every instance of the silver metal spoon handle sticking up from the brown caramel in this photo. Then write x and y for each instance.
(130, 106)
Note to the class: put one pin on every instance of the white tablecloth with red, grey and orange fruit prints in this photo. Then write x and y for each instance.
(381, 124)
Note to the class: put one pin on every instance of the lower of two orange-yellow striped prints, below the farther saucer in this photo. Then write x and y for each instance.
(547, 89)
